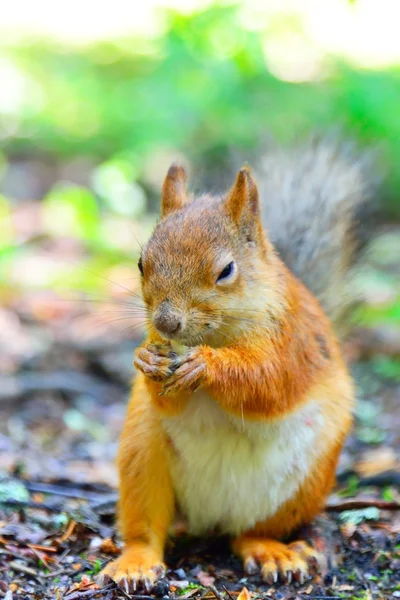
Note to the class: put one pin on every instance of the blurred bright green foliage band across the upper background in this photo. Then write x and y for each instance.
(203, 84)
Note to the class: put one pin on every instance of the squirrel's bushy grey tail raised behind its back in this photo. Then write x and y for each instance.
(317, 203)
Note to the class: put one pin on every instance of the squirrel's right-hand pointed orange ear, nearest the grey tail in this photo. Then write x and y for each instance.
(242, 204)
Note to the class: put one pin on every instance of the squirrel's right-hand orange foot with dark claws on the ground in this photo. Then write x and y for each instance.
(273, 559)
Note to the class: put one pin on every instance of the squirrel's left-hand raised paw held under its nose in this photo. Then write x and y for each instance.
(156, 361)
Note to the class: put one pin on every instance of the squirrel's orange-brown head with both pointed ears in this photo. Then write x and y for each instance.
(205, 268)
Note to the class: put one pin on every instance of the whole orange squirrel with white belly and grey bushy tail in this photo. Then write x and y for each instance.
(242, 400)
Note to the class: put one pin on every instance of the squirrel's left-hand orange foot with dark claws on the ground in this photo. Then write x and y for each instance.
(138, 566)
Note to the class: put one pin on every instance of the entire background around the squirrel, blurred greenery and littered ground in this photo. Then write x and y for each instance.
(96, 100)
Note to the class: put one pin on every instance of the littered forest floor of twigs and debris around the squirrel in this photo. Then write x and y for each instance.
(63, 392)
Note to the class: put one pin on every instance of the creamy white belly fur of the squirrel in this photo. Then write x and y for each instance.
(231, 473)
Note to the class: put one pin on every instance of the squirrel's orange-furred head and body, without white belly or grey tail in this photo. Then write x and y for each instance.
(261, 348)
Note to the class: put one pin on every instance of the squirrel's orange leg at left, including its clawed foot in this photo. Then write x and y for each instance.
(146, 502)
